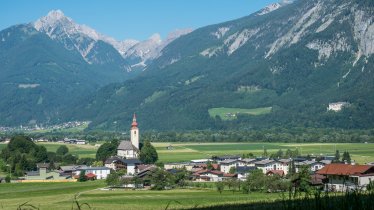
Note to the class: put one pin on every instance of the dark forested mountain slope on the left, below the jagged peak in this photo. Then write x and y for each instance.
(39, 77)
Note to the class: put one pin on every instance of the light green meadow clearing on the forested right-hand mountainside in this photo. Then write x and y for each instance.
(231, 113)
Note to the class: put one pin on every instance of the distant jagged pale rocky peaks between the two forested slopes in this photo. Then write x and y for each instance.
(96, 48)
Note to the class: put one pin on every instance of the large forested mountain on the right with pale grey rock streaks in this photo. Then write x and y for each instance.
(301, 56)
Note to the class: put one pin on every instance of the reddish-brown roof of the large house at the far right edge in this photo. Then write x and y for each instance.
(343, 169)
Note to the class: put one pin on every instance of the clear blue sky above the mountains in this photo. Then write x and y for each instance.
(136, 19)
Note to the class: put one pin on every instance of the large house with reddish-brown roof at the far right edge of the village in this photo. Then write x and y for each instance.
(342, 177)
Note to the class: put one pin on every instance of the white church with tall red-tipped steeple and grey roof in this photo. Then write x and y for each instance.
(130, 149)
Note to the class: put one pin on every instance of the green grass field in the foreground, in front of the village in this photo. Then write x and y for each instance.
(60, 196)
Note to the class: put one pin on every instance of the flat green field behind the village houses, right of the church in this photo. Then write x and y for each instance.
(362, 153)
